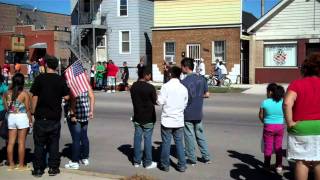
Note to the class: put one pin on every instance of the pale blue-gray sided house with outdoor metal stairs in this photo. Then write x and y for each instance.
(113, 29)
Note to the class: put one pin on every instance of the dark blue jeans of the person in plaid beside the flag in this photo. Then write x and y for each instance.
(80, 141)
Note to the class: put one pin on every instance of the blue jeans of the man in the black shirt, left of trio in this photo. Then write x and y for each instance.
(147, 135)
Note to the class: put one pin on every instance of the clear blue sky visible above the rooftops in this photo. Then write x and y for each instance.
(63, 6)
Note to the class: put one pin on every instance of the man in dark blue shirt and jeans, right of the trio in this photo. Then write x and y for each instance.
(194, 131)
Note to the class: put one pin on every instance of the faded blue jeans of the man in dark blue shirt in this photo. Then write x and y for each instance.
(194, 132)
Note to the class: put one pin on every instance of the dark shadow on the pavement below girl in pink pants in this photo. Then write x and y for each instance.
(251, 168)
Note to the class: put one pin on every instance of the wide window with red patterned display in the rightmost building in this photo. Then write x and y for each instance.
(280, 55)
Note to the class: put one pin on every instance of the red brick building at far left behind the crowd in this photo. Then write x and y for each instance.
(26, 34)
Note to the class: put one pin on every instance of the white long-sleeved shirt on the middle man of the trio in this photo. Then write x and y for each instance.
(173, 97)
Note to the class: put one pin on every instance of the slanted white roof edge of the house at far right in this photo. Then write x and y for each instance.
(275, 10)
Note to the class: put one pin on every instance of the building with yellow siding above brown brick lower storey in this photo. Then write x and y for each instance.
(210, 30)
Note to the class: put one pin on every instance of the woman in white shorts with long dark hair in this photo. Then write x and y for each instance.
(19, 120)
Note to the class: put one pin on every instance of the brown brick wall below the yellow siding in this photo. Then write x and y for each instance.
(204, 37)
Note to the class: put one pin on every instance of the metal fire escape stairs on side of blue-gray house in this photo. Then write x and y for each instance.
(90, 23)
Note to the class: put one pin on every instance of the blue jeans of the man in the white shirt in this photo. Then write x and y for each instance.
(177, 134)
